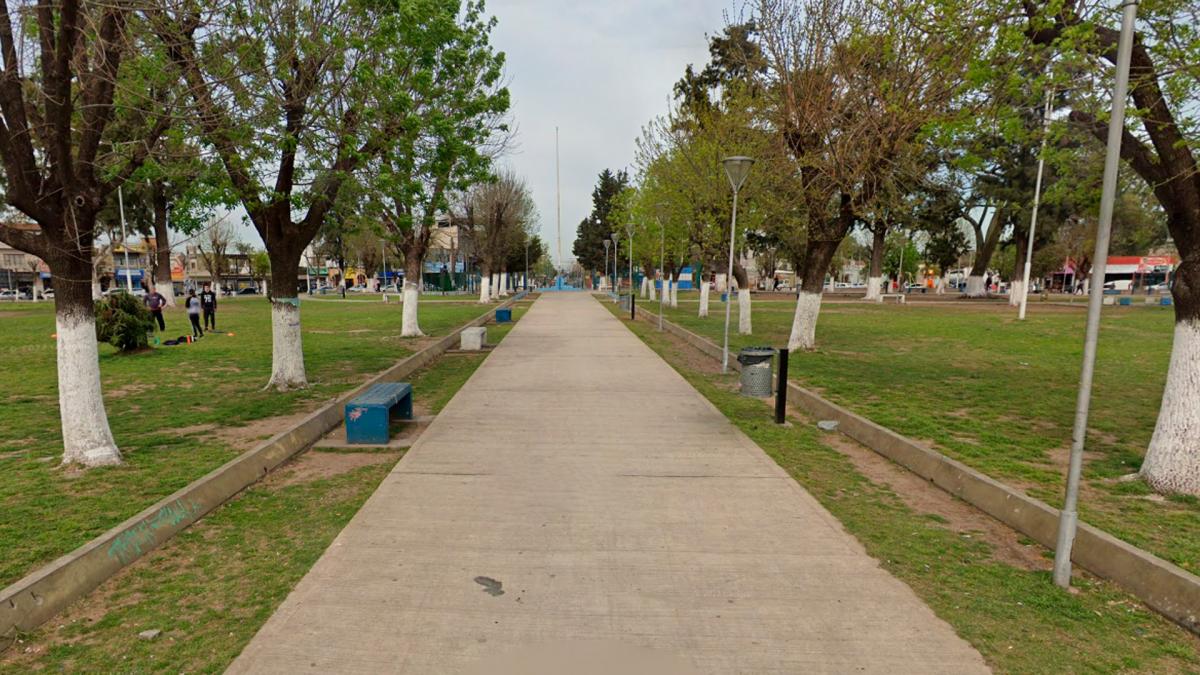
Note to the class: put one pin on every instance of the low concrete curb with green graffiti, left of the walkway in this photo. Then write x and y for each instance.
(38, 598)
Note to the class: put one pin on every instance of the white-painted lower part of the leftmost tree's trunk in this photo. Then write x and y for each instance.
(87, 439)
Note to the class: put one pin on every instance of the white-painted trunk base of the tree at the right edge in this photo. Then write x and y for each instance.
(1173, 459)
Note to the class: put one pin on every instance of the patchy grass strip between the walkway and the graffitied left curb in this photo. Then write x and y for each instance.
(214, 586)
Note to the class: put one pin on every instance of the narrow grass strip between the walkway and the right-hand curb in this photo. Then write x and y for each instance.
(1016, 618)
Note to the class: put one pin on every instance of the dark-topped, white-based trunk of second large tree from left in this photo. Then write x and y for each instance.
(287, 349)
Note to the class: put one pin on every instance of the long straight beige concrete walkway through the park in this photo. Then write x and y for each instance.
(579, 507)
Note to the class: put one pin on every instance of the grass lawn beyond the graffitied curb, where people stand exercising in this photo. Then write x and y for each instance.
(177, 413)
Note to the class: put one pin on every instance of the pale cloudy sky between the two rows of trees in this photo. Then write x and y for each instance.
(598, 71)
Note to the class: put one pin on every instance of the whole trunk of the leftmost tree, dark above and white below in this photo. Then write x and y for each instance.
(87, 439)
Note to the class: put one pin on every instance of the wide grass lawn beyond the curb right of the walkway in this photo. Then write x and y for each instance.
(999, 395)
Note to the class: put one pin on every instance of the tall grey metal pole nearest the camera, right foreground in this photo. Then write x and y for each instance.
(1069, 518)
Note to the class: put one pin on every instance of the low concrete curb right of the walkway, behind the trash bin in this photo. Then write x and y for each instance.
(1165, 588)
